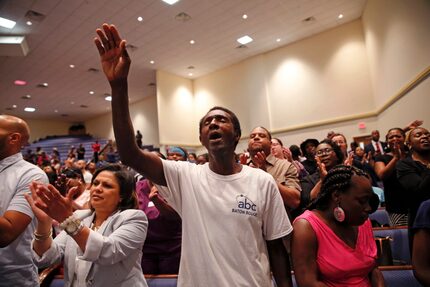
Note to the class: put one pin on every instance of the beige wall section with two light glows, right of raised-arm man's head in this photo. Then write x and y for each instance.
(322, 77)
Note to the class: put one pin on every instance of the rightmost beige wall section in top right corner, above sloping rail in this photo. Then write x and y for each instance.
(397, 38)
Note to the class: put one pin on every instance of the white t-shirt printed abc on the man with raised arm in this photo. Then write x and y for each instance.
(226, 221)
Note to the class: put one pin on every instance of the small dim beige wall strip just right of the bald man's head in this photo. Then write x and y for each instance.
(42, 128)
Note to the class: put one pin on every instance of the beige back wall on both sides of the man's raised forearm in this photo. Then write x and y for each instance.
(144, 118)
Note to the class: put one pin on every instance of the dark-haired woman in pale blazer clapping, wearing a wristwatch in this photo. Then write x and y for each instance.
(100, 246)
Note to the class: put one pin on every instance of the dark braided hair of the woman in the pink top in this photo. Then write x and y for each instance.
(337, 179)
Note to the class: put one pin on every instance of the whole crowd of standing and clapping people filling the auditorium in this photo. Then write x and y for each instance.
(217, 219)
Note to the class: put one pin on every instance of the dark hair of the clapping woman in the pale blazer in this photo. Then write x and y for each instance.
(126, 185)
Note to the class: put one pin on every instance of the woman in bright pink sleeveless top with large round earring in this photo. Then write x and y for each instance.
(333, 243)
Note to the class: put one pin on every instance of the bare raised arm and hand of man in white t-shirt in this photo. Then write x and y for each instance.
(116, 65)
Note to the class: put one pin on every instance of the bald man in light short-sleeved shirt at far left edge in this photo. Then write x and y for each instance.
(16, 218)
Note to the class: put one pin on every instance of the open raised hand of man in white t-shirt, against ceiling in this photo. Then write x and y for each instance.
(113, 54)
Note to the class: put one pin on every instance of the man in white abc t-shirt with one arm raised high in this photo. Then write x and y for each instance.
(233, 219)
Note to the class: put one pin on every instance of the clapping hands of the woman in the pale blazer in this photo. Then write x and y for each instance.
(51, 202)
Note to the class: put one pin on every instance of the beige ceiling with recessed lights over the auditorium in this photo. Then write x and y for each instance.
(64, 37)
